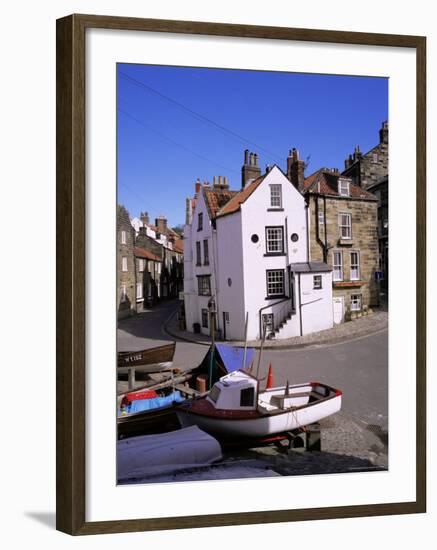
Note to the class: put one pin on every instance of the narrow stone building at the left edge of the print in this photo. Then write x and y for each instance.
(126, 276)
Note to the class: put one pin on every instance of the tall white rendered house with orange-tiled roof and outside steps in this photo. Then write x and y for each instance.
(257, 262)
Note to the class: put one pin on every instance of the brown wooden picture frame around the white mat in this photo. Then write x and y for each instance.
(71, 253)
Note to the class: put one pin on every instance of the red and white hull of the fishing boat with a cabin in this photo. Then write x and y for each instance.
(257, 423)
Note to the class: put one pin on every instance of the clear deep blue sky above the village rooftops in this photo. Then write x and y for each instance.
(179, 124)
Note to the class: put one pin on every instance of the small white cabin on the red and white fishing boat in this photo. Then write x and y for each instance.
(237, 390)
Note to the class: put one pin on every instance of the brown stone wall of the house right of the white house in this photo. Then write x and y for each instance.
(364, 240)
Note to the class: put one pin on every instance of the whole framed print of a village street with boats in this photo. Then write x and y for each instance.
(241, 274)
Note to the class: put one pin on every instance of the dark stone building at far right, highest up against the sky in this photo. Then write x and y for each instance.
(368, 168)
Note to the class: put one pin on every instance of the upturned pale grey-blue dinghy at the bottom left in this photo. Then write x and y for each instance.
(140, 457)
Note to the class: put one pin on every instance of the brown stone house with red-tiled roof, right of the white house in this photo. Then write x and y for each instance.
(343, 234)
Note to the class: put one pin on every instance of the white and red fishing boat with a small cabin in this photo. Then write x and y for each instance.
(235, 406)
